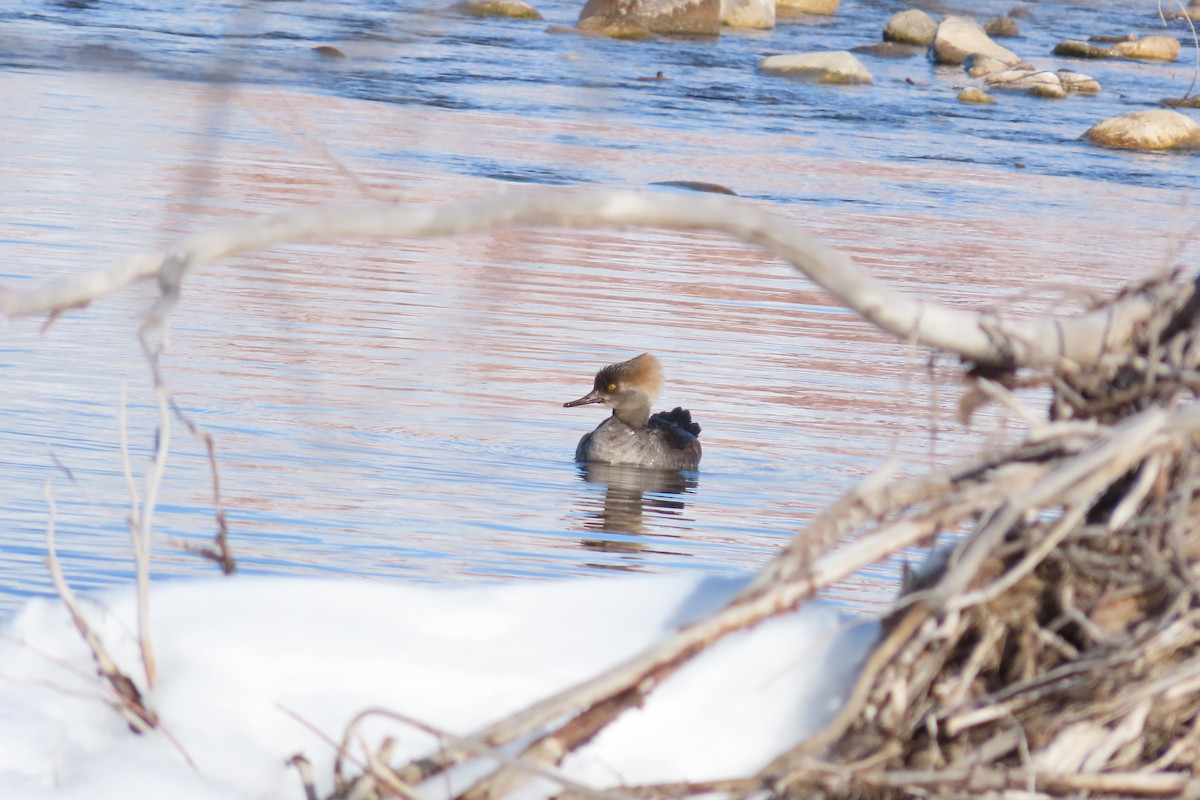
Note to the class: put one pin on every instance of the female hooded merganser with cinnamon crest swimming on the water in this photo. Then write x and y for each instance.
(634, 436)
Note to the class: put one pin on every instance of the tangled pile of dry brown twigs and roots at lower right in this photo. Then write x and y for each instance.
(1057, 651)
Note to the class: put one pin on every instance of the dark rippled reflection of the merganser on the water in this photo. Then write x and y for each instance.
(633, 498)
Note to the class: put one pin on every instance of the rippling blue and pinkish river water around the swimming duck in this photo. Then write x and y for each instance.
(395, 411)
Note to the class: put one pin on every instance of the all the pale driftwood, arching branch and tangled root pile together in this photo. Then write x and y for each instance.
(1055, 652)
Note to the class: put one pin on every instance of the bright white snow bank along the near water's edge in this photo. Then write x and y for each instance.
(236, 655)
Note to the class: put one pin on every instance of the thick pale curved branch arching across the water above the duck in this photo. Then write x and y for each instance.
(985, 339)
